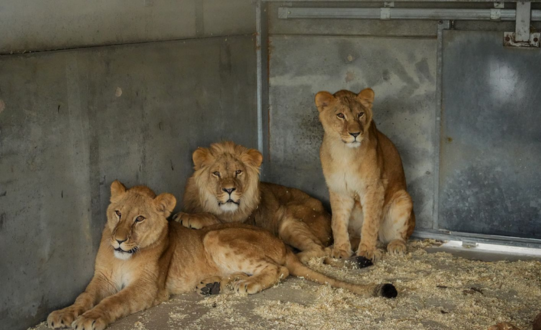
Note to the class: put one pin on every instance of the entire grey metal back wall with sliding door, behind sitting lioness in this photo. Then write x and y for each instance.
(462, 108)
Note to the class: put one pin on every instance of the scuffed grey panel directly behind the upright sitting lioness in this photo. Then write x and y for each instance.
(402, 73)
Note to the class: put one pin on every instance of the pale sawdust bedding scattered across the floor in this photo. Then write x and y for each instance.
(436, 291)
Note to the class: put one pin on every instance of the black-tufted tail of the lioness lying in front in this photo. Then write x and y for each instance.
(296, 268)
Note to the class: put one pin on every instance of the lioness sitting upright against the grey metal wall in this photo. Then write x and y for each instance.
(365, 177)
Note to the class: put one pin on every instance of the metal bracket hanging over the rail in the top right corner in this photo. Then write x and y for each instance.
(522, 37)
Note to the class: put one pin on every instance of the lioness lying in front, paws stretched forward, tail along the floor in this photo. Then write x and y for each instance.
(142, 259)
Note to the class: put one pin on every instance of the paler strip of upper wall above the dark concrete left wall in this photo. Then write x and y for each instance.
(29, 25)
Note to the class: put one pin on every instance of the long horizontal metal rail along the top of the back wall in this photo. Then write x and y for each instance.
(404, 13)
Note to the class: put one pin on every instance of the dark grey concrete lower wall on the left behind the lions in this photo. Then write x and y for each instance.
(74, 121)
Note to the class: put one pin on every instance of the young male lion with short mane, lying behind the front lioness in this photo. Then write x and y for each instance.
(225, 188)
